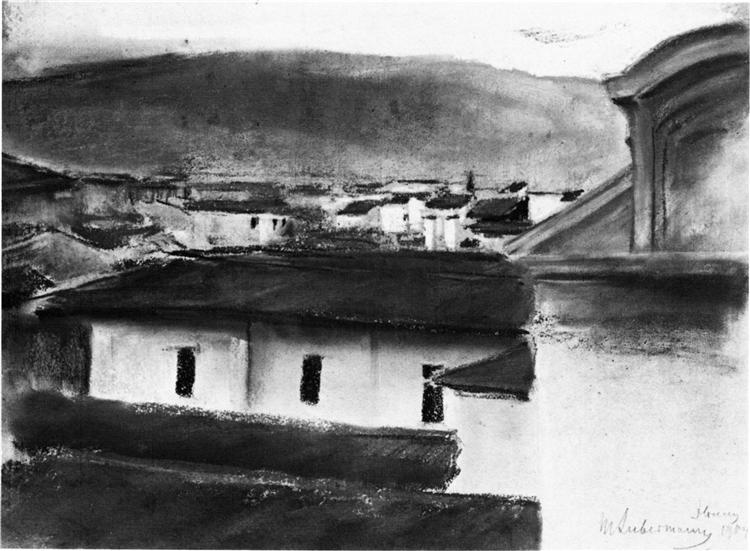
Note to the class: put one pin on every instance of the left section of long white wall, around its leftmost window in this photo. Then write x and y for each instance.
(137, 362)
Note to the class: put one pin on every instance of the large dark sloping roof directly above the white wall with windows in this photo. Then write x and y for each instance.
(315, 285)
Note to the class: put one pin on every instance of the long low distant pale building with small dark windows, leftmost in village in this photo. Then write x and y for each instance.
(237, 224)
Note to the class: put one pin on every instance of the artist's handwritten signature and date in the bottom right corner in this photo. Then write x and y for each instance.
(703, 524)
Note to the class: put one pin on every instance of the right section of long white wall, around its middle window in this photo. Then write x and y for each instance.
(369, 376)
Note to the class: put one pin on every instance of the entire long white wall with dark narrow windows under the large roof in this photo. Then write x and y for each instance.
(369, 377)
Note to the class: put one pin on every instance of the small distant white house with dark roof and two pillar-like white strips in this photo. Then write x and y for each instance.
(444, 219)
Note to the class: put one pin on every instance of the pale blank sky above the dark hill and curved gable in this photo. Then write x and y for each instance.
(591, 39)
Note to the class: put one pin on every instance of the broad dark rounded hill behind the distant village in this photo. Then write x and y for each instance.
(255, 115)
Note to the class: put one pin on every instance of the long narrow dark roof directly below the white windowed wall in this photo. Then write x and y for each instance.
(384, 457)
